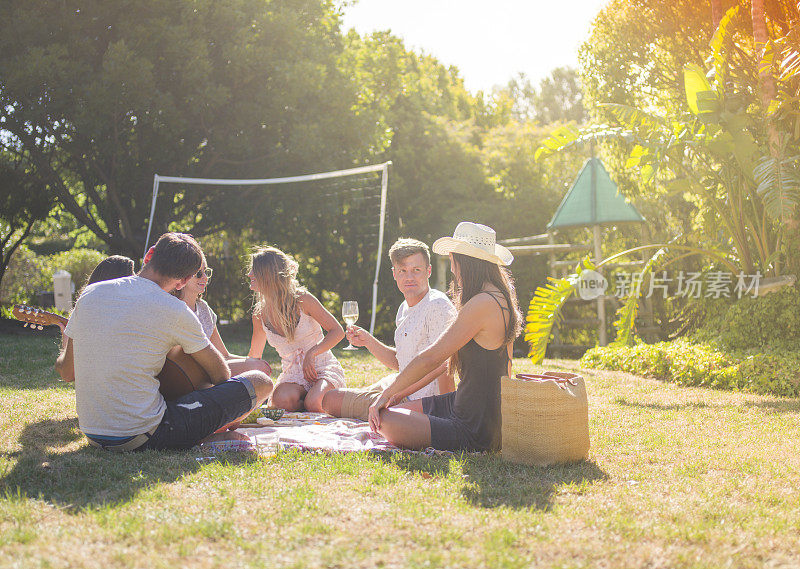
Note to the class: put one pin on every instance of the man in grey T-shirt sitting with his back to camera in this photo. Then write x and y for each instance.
(116, 343)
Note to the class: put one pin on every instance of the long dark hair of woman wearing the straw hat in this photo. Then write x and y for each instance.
(473, 274)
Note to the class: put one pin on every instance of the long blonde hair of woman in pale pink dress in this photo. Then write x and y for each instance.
(277, 298)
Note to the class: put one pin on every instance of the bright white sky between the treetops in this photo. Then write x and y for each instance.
(489, 41)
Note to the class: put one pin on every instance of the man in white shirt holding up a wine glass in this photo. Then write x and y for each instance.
(422, 317)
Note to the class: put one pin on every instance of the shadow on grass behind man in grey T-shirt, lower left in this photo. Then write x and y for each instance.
(87, 477)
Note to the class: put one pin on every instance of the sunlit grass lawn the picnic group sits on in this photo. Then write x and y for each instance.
(677, 477)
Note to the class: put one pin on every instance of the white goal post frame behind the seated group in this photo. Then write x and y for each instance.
(382, 168)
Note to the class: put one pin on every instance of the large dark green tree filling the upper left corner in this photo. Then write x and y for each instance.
(102, 95)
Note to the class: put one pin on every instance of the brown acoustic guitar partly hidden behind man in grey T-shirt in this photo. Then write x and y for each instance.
(180, 375)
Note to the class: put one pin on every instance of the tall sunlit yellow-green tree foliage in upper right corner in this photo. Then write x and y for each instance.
(720, 155)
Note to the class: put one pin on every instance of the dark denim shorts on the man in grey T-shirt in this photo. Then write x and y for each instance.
(193, 417)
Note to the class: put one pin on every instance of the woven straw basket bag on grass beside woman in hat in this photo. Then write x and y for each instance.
(545, 418)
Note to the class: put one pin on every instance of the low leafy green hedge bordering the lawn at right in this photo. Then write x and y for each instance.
(770, 371)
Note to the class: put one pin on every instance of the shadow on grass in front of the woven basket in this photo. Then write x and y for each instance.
(489, 481)
